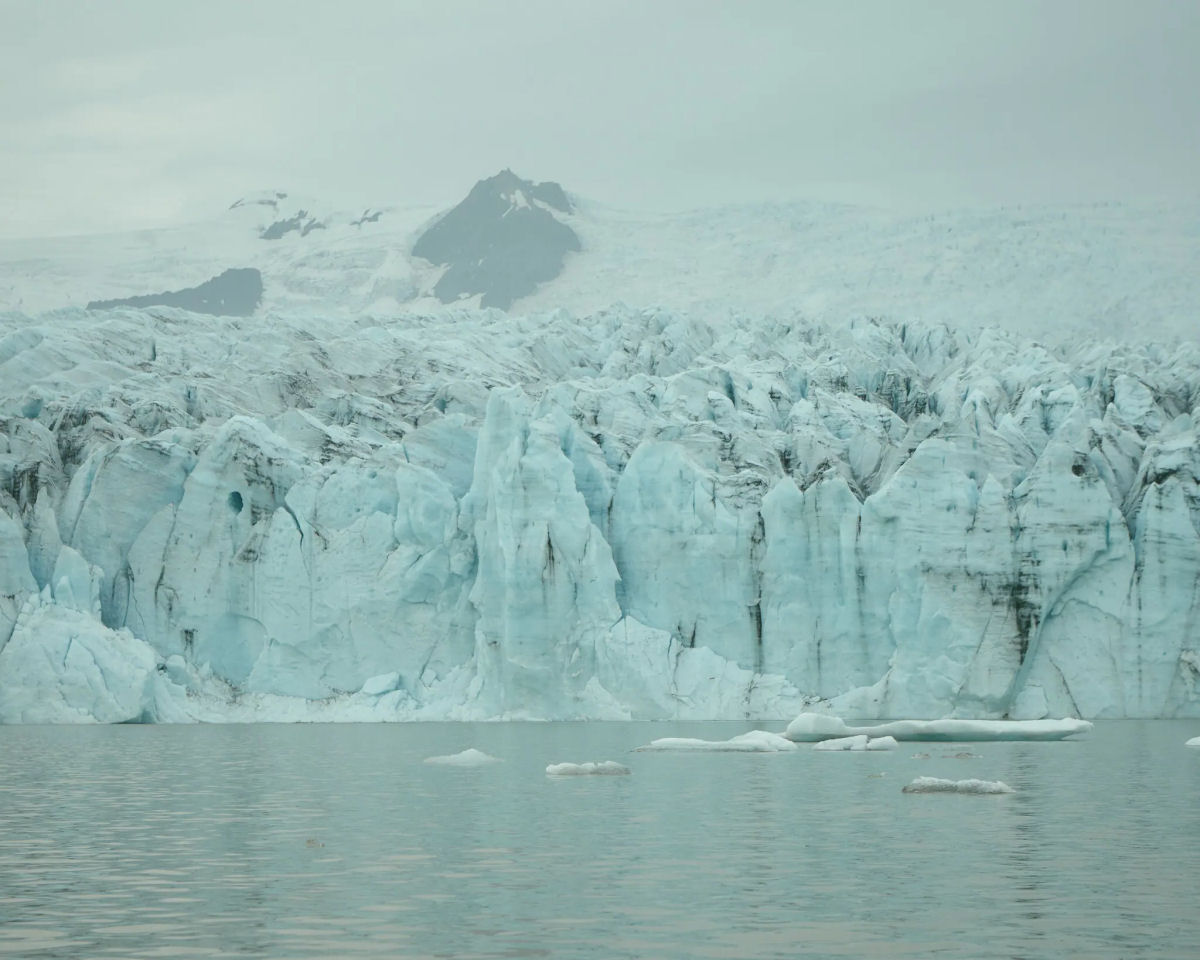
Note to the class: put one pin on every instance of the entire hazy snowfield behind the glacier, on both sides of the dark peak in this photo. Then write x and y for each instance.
(1054, 274)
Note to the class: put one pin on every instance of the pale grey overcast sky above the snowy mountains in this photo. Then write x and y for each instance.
(131, 113)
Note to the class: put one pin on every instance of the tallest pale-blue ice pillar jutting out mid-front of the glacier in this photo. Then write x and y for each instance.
(545, 580)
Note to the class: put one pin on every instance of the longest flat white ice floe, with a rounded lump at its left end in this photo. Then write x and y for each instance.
(811, 728)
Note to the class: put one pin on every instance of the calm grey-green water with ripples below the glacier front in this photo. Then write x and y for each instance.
(338, 842)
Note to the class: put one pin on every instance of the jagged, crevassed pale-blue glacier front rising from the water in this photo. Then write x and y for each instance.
(632, 513)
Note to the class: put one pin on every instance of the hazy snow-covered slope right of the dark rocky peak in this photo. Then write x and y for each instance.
(1051, 273)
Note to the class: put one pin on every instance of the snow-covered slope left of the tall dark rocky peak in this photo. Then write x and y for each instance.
(353, 261)
